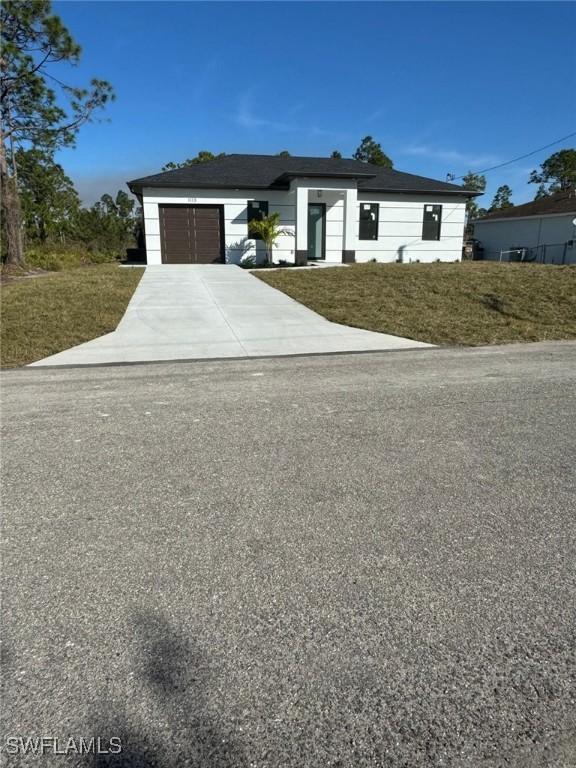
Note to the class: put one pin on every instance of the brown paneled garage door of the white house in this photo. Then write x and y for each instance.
(190, 234)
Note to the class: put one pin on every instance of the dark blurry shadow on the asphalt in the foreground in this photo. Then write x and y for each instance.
(182, 731)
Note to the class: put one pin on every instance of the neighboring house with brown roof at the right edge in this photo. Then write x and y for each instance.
(544, 230)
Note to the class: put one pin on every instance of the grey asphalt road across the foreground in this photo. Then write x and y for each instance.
(363, 560)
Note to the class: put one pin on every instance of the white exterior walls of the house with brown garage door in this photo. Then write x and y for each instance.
(399, 228)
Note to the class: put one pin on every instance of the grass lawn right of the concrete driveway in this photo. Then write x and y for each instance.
(468, 303)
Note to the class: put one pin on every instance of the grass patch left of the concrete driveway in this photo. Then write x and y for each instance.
(46, 314)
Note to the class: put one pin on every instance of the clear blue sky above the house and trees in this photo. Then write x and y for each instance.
(444, 87)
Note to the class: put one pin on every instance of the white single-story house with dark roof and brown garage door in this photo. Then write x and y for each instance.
(332, 209)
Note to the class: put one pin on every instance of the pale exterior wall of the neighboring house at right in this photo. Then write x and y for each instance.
(551, 231)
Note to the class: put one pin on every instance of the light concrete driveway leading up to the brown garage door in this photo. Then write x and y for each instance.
(181, 312)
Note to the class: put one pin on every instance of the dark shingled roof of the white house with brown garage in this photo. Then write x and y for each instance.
(273, 172)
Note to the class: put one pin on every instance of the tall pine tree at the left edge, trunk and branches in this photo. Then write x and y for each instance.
(31, 112)
